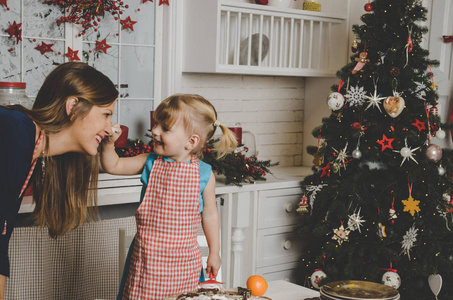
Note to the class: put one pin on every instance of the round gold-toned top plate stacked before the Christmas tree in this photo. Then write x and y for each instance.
(359, 290)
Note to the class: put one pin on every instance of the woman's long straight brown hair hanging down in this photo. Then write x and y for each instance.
(65, 188)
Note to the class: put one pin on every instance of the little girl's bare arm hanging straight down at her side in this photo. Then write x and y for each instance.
(211, 227)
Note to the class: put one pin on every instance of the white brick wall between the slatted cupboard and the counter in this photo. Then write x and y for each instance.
(269, 107)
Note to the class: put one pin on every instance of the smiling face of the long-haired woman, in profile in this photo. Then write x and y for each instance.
(89, 131)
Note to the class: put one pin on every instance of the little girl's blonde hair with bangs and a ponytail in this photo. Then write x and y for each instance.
(199, 117)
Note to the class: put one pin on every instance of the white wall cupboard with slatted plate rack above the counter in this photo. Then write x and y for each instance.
(222, 36)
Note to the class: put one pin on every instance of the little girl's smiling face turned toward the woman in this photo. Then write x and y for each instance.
(171, 142)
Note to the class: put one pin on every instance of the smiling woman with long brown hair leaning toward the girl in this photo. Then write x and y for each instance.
(57, 141)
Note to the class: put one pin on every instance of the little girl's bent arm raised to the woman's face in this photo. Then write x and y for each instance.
(113, 164)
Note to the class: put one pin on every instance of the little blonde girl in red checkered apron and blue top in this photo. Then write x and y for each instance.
(177, 186)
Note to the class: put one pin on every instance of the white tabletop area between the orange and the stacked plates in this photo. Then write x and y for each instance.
(284, 290)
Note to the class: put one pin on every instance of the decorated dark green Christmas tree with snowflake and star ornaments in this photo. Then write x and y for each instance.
(378, 205)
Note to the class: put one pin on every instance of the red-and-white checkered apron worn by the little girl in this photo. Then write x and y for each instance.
(166, 259)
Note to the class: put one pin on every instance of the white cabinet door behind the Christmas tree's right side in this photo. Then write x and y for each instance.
(440, 23)
